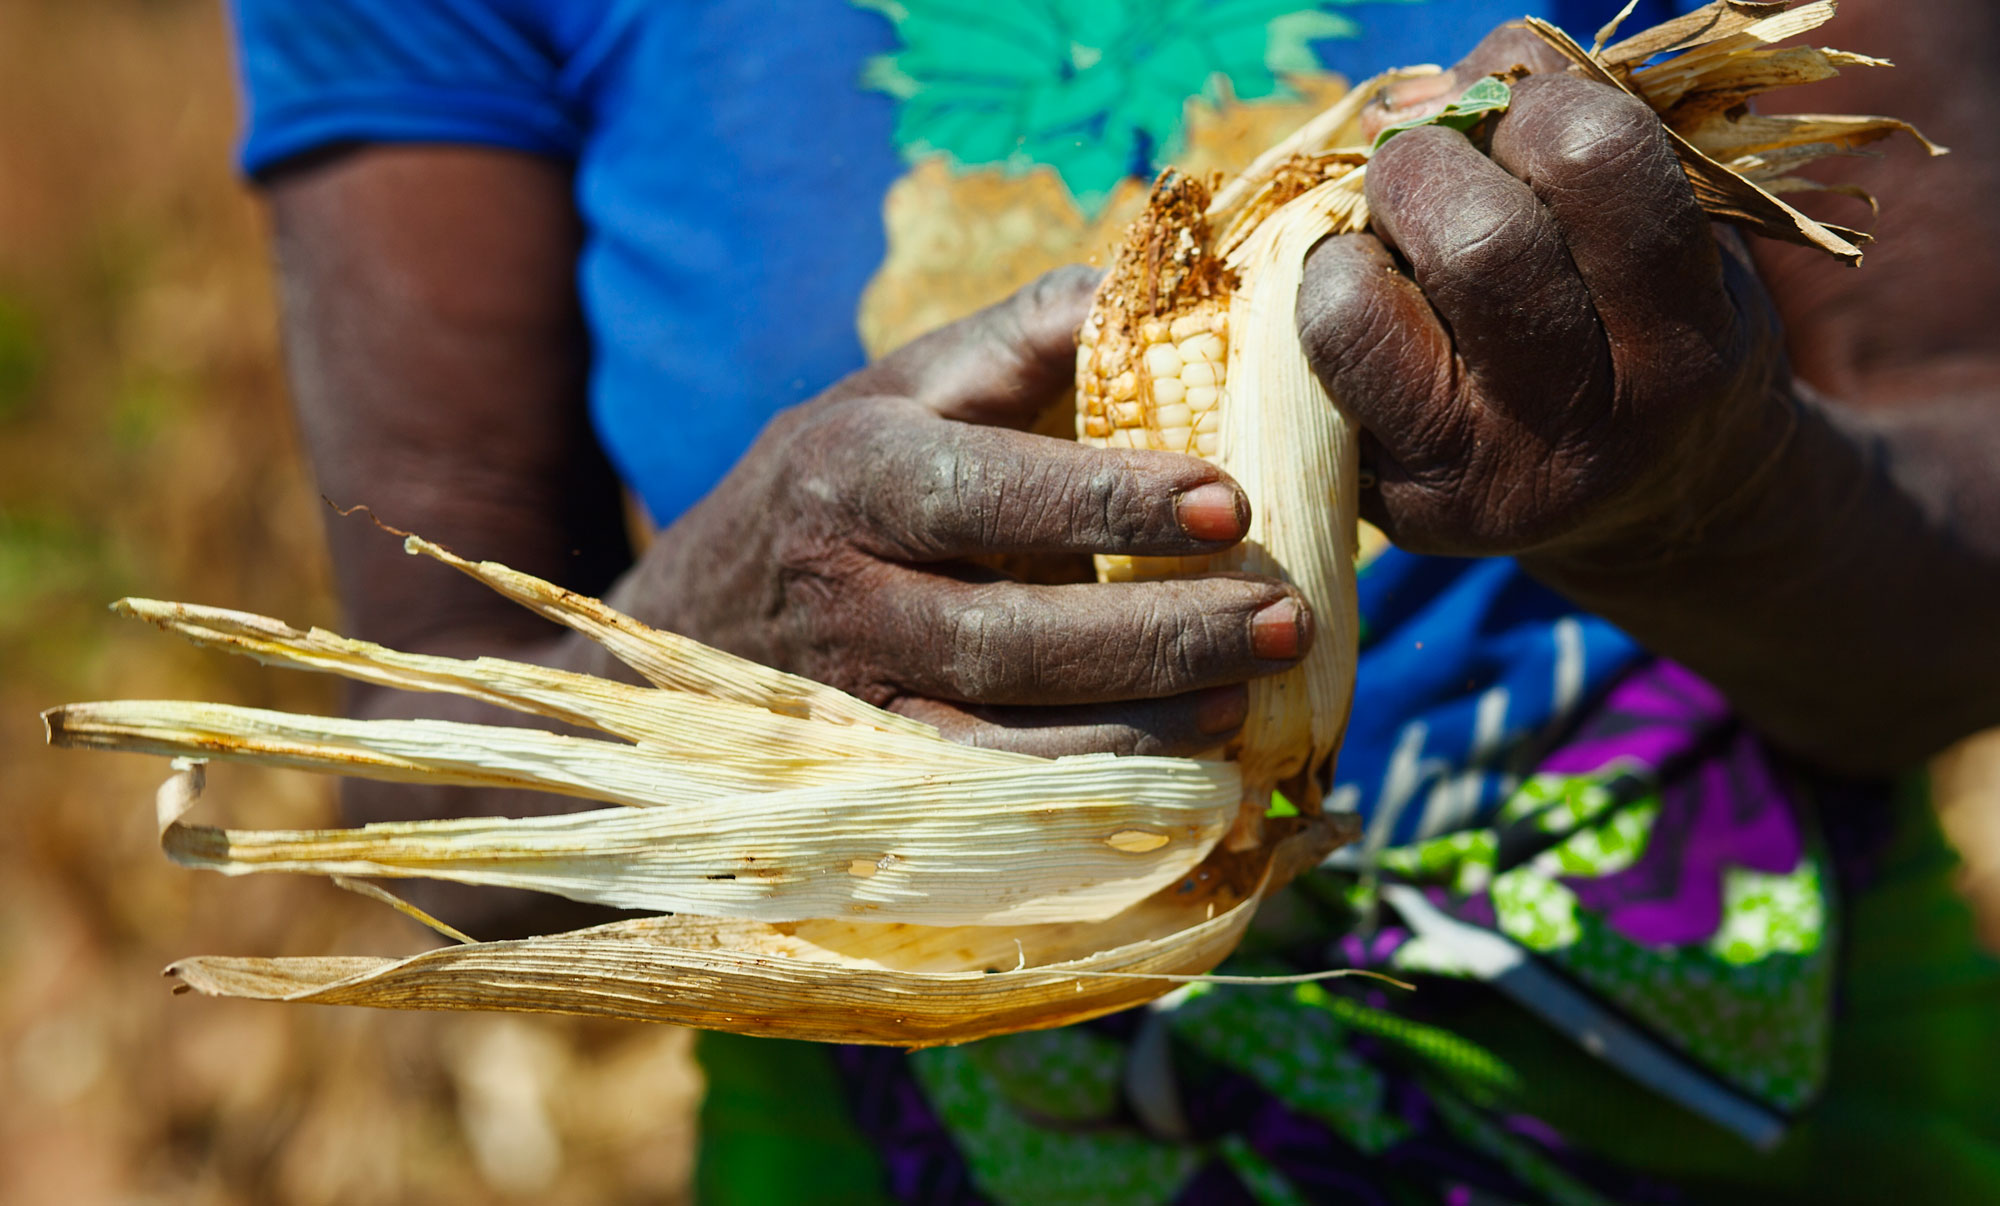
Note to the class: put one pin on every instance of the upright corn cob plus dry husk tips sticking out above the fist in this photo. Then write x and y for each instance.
(1189, 345)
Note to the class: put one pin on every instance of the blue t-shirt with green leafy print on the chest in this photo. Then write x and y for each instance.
(733, 163)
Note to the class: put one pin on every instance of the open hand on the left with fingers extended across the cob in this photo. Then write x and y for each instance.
(843, 545)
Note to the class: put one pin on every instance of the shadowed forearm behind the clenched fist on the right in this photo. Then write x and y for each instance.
(1849, 597)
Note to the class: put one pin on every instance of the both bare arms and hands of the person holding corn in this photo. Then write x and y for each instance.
(1549, 351)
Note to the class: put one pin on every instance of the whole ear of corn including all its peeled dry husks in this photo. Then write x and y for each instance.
(841, 873)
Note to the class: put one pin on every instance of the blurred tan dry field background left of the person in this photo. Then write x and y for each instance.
(147, 449)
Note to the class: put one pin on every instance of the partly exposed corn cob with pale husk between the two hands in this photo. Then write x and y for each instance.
(1157, 369)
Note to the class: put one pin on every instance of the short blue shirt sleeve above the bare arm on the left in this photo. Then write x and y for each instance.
(323, 73)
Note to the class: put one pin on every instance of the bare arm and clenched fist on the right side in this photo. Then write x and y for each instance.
(1579, 373)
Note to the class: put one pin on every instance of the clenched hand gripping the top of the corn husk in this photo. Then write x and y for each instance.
(1547, 349)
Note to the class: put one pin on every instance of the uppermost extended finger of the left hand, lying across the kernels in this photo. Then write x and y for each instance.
(933, 491)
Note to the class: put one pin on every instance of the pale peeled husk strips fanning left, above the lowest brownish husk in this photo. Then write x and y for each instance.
(725, 809)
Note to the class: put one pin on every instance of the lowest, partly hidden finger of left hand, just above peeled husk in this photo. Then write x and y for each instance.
(1179, 727)
